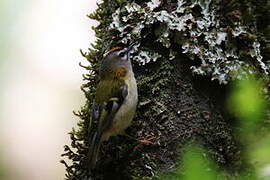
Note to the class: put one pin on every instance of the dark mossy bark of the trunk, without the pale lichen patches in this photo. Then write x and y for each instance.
(175, 107)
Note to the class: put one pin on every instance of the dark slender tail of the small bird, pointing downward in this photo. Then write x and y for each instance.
(94, 150)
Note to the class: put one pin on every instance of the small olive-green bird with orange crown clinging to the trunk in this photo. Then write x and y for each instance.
(115, 101)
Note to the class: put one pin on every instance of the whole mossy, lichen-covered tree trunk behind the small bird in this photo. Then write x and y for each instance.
(176, 39)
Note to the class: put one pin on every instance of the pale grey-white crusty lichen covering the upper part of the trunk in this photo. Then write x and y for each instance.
(200, 36)
